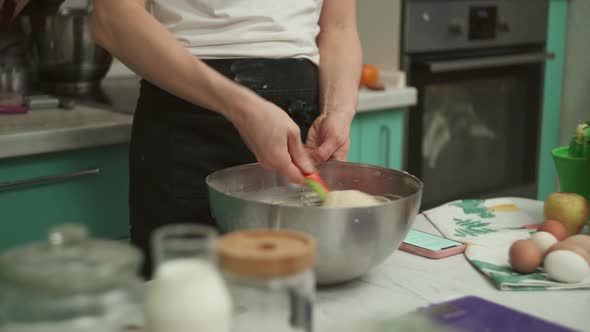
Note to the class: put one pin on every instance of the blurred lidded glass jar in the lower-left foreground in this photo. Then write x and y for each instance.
(70, 284)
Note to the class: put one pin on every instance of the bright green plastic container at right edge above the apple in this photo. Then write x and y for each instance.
(573, 173)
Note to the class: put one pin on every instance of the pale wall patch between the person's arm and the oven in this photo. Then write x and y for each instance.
(379, 24)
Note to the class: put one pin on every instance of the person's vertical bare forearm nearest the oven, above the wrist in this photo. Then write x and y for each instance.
(340, 69)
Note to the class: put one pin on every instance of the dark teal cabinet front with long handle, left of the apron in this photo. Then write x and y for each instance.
(86, 186)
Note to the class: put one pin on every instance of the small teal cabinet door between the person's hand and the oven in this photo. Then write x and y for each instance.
(377, 138)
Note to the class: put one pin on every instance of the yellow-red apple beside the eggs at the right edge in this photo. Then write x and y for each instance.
(570, 209)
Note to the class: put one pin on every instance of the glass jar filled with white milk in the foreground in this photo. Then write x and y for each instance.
(187, 292)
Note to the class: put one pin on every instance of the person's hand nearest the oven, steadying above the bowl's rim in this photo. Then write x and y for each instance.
(329, 137)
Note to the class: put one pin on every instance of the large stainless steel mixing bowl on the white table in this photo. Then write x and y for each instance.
(351, 241)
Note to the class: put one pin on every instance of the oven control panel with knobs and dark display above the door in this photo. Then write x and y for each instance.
(438, 25)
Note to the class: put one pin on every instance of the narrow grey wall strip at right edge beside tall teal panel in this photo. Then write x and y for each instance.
(576, 88)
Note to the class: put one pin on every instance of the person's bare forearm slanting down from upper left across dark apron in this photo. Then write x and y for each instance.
(136, 38)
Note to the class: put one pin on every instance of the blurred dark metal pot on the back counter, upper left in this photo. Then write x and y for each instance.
(62, 51)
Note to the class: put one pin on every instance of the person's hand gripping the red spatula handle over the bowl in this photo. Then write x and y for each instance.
(275, 140)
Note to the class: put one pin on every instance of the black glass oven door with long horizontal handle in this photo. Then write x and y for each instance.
(475, 130)
